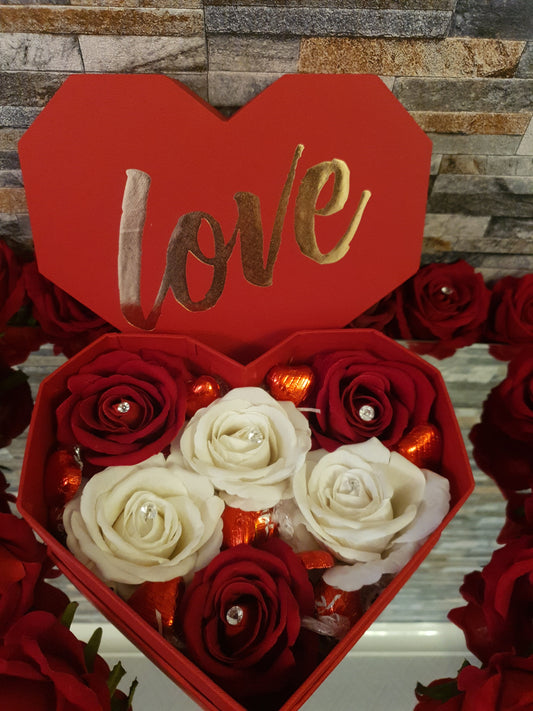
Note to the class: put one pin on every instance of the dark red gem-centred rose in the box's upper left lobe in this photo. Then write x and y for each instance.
(124, 407)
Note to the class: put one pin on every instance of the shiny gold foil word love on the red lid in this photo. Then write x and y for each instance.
(184, 238)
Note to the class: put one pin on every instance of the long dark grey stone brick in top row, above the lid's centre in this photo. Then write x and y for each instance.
(325, 21)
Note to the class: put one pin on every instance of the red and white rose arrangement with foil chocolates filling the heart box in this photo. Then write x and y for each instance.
(242, 505)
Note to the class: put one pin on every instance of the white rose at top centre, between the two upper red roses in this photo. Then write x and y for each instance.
(249, 445)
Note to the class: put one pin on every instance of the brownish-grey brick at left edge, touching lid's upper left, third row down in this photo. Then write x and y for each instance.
(29, 88)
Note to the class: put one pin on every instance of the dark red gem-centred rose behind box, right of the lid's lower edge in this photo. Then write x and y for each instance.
(443, 302)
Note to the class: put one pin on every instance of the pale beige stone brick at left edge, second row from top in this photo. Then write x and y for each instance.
(21, 51)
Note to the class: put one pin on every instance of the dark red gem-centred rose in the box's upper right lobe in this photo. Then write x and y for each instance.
(360, 396)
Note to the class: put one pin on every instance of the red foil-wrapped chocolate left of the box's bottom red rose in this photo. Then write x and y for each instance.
(156, 602)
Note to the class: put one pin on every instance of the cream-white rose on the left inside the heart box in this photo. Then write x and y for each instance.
(152, 521)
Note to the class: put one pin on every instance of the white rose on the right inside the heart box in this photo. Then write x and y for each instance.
(369, 507)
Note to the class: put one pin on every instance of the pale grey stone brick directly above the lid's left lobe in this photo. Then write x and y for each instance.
(143, 54)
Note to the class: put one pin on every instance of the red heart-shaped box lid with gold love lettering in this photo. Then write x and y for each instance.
(207, 175)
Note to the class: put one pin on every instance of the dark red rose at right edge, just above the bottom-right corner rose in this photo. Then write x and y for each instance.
(499, 613)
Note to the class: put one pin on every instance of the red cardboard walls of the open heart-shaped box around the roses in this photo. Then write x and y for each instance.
(299, 348)
